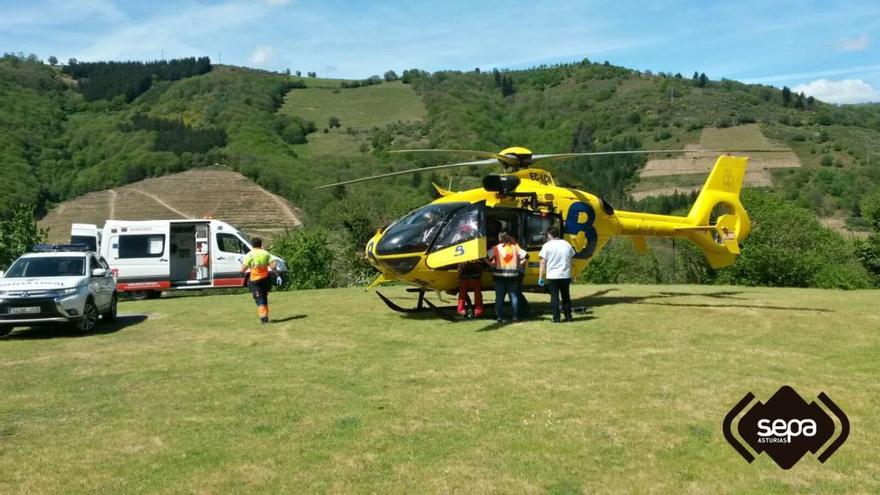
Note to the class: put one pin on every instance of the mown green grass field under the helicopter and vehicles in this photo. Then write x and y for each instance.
(191, 394)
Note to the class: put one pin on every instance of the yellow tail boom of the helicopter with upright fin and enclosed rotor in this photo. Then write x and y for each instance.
(719, 237)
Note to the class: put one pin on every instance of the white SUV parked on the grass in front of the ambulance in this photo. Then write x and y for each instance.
(59, 284)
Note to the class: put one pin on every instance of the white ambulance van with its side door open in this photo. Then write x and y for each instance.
(148, 257)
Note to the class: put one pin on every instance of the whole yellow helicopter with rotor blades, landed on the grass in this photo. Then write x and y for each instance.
(425, 247)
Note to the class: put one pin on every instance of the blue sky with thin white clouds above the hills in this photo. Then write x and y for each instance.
(828, 49)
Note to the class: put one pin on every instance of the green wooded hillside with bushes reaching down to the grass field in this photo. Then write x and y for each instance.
(67, 130)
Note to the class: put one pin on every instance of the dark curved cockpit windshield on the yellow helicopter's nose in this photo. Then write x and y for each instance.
(416, 231)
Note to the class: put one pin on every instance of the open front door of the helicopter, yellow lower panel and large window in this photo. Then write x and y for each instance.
(462, 238)
